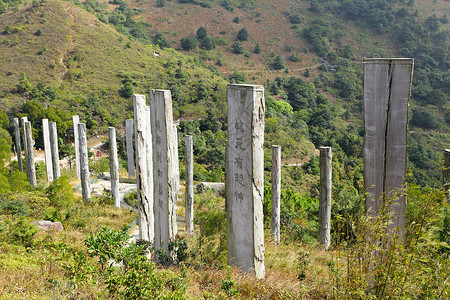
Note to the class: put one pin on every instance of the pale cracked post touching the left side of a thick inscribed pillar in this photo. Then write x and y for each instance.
(141, 136)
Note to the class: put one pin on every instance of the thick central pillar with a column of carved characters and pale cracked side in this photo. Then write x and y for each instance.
(245, 177)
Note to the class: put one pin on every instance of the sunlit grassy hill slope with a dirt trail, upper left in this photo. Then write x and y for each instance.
(74, 62)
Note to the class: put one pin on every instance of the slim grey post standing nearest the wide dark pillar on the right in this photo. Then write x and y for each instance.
(325, 197)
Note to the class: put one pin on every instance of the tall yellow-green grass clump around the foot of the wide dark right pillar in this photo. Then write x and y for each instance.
(377, 263)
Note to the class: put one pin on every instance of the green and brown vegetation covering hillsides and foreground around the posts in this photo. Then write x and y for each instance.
(89, 57)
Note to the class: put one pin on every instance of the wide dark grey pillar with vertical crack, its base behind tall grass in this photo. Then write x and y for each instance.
(387, 86)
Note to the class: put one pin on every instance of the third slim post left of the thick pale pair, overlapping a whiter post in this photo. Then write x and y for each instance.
(84, 162)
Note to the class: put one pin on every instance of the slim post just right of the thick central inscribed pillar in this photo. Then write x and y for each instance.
(275, 193)
